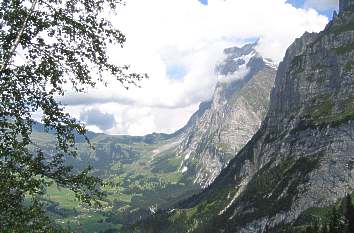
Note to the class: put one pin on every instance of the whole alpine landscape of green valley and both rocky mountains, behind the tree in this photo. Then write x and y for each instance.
(272, 151)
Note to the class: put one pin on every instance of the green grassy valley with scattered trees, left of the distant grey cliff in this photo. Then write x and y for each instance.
(144, 172)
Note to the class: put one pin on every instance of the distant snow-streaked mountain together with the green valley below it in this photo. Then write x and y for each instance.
(158, 170)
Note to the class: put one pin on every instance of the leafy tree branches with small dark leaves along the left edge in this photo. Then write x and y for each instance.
(46, 47)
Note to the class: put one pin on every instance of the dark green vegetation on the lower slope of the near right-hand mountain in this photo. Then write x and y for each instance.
(262, 197)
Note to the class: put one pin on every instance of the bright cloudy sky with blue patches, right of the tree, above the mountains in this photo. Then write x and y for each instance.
(178, 43)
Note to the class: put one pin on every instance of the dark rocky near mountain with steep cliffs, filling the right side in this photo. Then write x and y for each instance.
(302, 156)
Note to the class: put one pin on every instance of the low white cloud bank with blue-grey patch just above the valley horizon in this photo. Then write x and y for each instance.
(131, 119)
